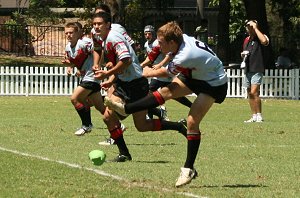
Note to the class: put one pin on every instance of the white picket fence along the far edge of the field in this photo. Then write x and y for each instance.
(53, 81)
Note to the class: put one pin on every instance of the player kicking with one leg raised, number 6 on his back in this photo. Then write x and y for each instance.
(198, 70)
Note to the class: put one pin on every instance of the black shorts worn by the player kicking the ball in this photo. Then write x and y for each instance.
(199, 86)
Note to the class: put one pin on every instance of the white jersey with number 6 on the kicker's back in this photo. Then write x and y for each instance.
(196, 60)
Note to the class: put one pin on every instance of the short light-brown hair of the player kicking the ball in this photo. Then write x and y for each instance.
(171, 31)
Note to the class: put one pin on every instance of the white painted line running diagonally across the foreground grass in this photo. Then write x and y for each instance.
(100, 172)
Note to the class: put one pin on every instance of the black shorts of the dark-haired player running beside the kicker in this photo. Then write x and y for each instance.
(133, 90)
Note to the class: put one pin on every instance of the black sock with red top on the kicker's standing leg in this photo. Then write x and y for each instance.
(194, 139)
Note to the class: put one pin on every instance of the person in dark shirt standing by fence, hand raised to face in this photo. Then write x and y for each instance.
(254, 67)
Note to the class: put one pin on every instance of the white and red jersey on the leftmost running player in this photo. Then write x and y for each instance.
(82, 57)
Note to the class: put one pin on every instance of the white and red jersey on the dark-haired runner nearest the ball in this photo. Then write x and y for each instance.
(116, 48)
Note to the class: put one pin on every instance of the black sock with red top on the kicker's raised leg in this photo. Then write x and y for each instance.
(150, 101)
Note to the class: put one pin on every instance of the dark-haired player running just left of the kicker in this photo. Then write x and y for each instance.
(126, 74)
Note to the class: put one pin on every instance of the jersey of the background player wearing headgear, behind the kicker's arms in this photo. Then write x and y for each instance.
(155, 56)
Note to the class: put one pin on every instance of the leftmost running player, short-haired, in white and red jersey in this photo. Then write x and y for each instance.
(79, 54)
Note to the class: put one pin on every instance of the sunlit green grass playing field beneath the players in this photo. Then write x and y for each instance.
(41, 157)
